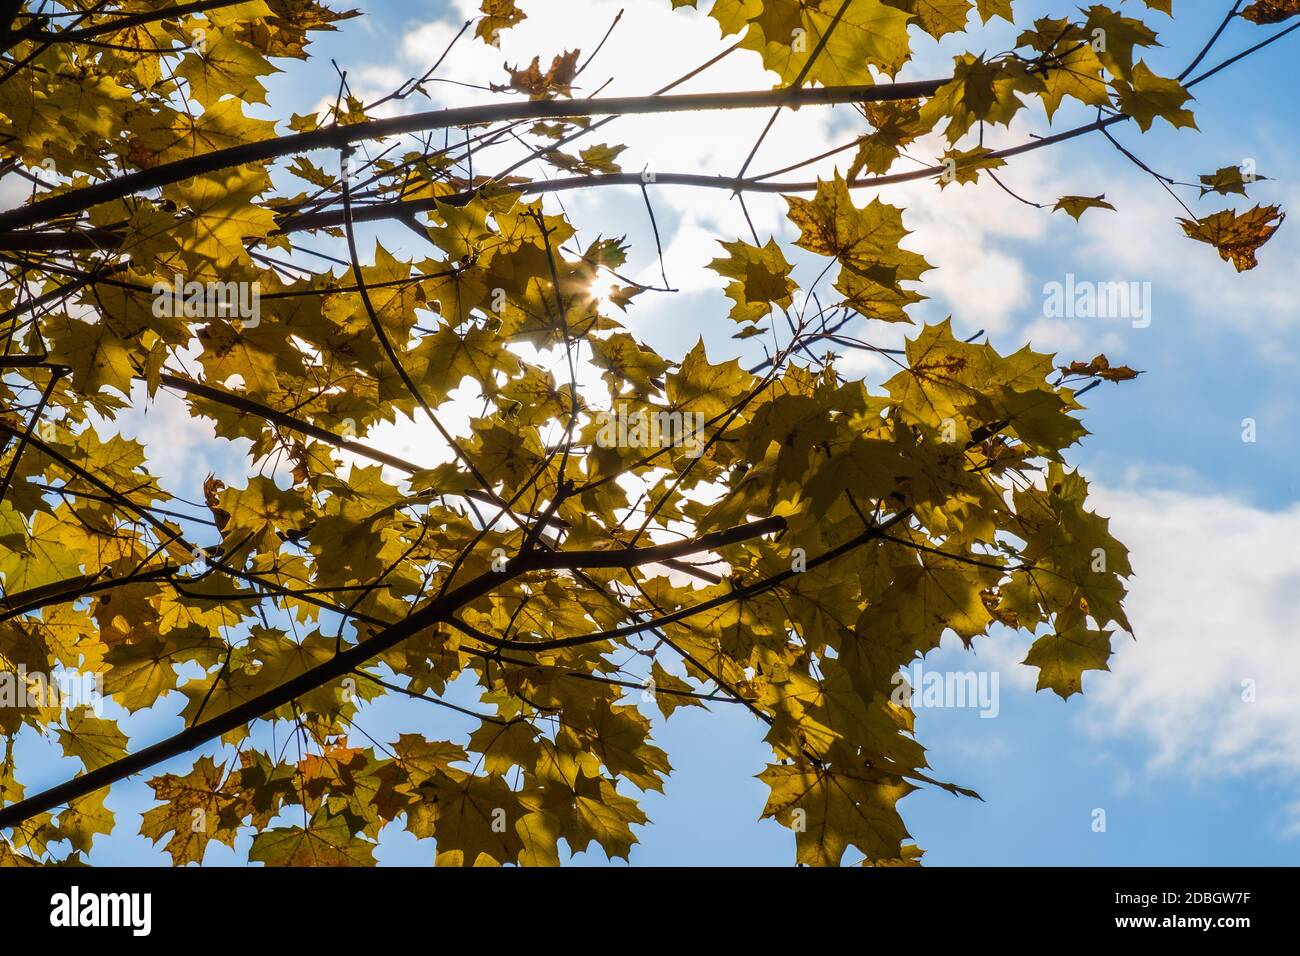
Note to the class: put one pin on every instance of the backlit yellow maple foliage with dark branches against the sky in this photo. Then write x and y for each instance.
(540, 590)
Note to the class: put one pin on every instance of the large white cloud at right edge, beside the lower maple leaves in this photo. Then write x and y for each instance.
(1212, 605)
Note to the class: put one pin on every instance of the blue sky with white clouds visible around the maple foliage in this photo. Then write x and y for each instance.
(1185, 771)
